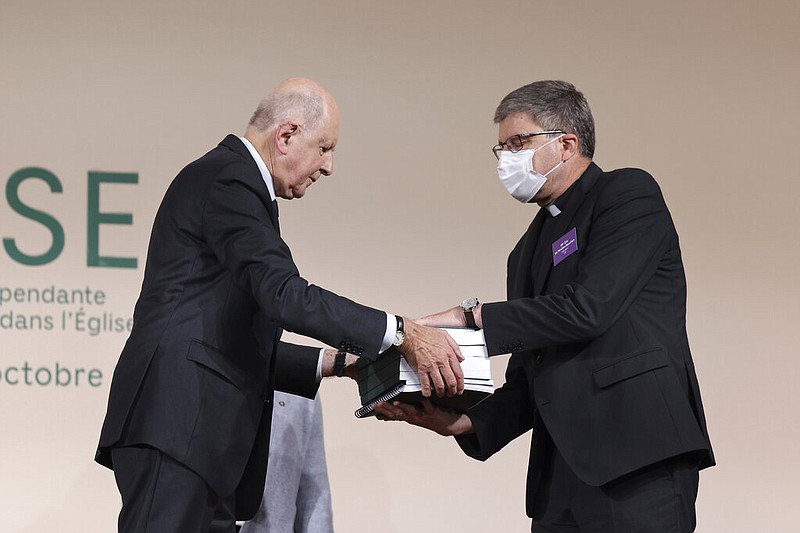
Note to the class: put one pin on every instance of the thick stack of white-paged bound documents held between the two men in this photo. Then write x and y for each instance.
(391, 377)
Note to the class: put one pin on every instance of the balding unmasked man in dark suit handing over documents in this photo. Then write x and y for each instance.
(187, 426)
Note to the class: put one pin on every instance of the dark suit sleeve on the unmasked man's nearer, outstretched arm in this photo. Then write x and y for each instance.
(239, 230)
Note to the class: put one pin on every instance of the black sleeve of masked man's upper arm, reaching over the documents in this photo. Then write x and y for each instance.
(630, 231)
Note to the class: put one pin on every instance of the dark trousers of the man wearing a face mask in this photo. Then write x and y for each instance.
(656, 499)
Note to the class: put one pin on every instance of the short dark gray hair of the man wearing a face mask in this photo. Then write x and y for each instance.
(553, 105)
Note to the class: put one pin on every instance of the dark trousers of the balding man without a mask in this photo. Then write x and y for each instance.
(160, 495)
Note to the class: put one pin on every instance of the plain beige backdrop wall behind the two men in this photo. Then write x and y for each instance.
(701, 94)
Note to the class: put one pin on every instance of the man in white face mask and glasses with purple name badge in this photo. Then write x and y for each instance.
(601, 369)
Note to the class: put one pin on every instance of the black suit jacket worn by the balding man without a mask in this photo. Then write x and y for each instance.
(196, 376)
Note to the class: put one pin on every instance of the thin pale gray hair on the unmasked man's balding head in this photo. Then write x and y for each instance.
(303, 107)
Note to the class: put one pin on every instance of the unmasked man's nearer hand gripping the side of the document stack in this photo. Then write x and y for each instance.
(436, 357)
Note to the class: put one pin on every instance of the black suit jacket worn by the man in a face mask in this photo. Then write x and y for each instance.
(600, 354)
